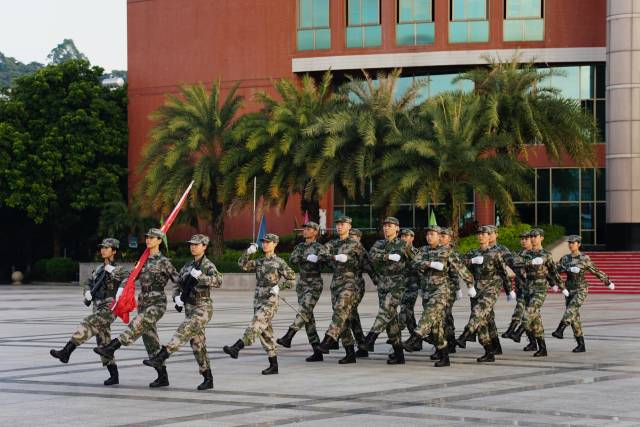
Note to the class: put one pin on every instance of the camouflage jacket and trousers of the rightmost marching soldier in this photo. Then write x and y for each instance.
(578, 287)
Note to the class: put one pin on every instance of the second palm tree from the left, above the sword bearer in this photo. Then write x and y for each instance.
(272, 147)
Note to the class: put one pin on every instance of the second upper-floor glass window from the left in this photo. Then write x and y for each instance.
(363, 28)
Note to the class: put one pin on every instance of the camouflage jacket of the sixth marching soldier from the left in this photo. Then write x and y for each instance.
(345, 274)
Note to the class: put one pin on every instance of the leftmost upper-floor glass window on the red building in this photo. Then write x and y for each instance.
(313, 25)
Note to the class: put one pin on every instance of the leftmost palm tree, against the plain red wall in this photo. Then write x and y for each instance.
(187, 143)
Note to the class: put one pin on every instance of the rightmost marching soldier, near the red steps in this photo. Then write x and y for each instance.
(576, 264)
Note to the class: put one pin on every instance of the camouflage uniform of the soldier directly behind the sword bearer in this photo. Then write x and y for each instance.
(308, 286)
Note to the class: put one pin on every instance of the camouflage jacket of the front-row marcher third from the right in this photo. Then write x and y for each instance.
(492, 273)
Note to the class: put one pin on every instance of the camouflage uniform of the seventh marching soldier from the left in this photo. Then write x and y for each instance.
(390, 277)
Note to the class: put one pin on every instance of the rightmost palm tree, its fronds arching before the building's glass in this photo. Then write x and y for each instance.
(518, 103)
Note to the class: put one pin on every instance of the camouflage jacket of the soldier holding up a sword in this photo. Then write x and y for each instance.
(269, 271)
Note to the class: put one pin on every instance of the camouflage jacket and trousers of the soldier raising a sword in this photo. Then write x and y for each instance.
(269, 271)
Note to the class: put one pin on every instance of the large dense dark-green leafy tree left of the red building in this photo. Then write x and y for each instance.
(64, 143)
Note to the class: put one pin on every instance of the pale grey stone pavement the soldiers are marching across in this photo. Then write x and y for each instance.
(597, 388)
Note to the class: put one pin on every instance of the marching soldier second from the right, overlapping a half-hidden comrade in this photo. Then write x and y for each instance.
(541, 272)
